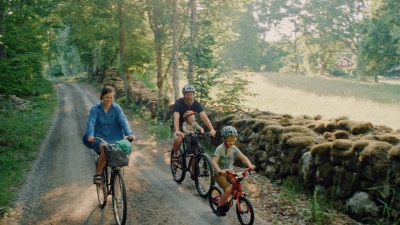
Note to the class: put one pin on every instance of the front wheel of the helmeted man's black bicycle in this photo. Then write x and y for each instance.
(203, 177)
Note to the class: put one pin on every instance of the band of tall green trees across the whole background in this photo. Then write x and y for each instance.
(163, 41)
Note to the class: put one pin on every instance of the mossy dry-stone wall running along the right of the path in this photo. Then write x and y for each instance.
(357, 163)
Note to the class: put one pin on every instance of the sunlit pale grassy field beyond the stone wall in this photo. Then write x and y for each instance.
(299, 95)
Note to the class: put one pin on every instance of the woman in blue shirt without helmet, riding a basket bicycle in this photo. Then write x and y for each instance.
(107, 121)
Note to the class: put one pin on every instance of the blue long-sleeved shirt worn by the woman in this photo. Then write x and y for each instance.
(110, 126)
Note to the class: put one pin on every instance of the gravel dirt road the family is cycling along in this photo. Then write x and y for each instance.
(59, 187)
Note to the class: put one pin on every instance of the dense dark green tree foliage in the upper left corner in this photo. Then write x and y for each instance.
(21, 49)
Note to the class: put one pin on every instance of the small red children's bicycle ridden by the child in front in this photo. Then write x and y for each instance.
(244, 208)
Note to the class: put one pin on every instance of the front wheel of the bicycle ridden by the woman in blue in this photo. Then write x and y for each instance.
(119, 197)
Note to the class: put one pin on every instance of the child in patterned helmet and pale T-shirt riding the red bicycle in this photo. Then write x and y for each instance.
(223, 159)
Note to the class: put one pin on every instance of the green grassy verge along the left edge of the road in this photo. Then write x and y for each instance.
(21, 133)
